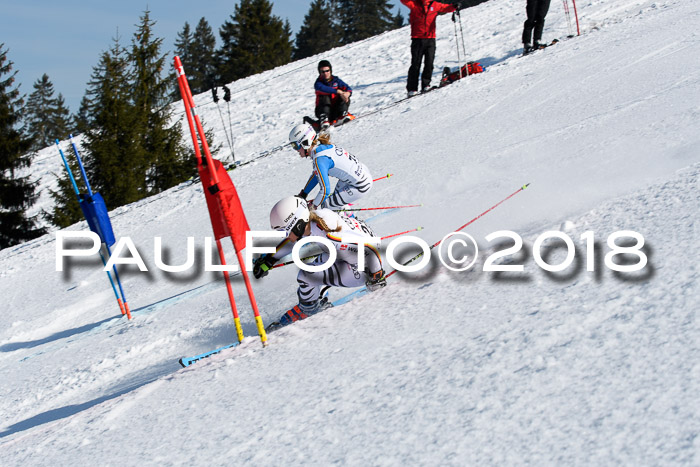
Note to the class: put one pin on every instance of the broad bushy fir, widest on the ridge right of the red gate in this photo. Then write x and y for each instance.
(253, 40)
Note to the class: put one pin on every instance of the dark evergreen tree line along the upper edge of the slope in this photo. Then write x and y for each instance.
(130, 147)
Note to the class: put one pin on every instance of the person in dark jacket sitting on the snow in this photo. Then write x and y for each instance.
(332, 96)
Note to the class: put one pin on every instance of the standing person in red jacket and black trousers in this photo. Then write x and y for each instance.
(422, 20)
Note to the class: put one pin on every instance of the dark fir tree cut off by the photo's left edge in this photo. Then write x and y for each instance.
(17, 193)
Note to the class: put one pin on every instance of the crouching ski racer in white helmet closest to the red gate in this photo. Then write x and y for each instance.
(348, 236)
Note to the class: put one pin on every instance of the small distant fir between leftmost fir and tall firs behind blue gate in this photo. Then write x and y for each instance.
(47, 116)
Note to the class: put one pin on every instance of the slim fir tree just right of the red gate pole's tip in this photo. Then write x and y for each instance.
(201, 73)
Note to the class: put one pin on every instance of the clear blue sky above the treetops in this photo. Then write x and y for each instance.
(64, 38)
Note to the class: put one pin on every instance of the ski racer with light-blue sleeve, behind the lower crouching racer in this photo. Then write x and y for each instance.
(354, 178)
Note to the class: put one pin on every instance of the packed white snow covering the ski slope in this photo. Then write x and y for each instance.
(583, 366)
